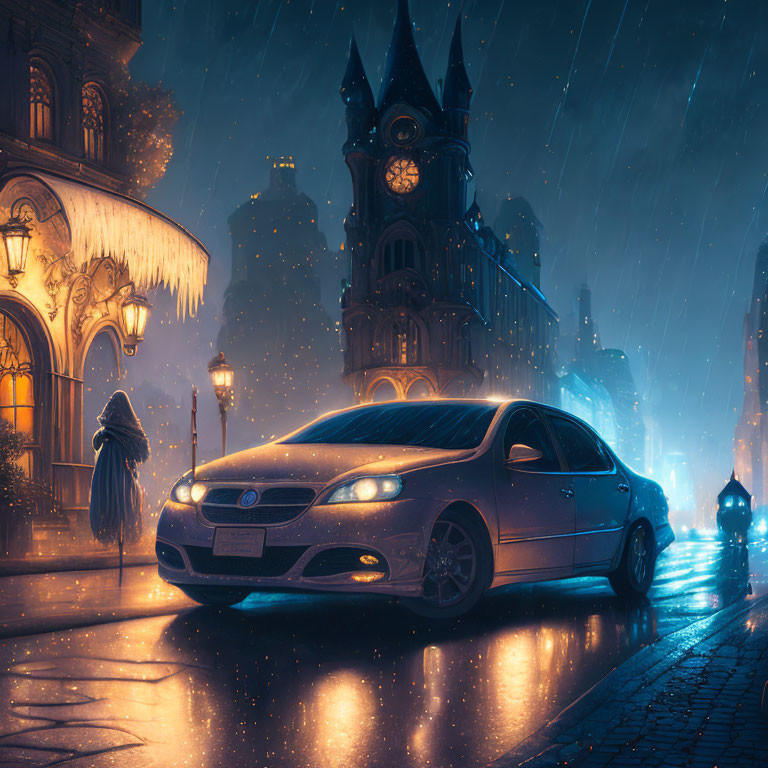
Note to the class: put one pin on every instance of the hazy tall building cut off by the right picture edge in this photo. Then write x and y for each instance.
(751, 435)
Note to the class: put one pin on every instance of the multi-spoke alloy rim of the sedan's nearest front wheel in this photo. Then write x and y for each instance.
(449, 571)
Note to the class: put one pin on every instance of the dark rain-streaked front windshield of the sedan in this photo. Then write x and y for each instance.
(430, 425)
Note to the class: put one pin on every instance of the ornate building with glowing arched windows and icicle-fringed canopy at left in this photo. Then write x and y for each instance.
(78, 252)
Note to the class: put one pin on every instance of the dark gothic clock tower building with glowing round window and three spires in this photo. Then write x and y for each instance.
(437, 304)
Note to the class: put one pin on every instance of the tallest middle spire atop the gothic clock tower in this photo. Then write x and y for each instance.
(404, 76)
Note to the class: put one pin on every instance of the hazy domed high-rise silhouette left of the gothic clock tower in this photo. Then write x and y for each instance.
(277, 335)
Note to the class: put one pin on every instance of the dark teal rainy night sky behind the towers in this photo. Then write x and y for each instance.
(636, 129)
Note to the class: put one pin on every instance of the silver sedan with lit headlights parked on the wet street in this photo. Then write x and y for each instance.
(432, 501)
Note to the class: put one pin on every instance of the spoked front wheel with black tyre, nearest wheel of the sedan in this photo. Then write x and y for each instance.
(457, 567)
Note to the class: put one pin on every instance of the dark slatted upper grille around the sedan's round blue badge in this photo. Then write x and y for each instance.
(274, 506)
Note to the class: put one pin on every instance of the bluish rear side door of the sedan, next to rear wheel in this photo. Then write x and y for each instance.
(601, 492)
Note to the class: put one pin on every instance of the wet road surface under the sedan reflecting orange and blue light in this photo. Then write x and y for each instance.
(335, 682)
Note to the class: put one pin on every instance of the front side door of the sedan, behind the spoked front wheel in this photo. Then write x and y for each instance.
(537, 513)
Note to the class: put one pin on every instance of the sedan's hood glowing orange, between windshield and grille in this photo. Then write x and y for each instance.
(320, 463)
